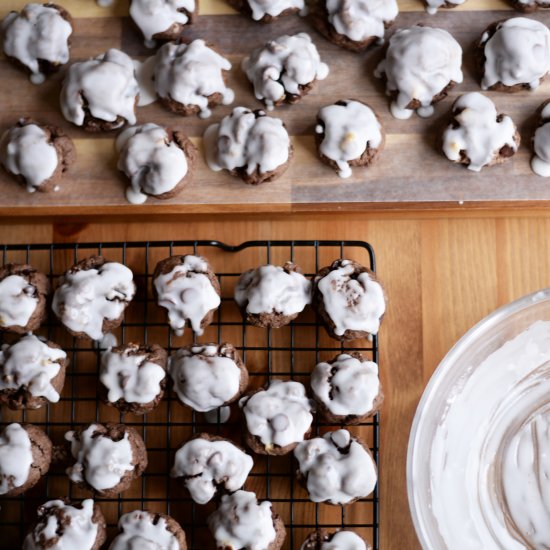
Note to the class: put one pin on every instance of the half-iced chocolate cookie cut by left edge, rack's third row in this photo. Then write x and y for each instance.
(25, 456)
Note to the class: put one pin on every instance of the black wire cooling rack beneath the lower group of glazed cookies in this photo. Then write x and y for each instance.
(289, 352)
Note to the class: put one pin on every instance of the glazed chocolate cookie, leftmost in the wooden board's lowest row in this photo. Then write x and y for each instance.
(38, 156)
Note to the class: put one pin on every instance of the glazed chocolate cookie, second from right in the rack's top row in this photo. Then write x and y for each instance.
(272, 296)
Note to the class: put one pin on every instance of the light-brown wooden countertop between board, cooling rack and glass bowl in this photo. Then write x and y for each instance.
(443, 273)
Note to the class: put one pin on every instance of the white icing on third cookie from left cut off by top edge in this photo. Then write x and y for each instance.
(360, 20)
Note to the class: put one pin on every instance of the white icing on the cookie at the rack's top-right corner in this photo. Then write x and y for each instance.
(352, 303)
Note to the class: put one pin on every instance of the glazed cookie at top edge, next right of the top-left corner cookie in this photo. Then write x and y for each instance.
(162, 20)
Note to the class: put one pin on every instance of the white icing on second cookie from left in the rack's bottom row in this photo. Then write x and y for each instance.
(140, 533)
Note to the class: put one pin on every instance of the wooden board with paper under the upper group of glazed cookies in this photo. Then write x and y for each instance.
(410, 173)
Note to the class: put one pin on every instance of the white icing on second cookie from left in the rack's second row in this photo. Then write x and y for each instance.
(130, 377)
